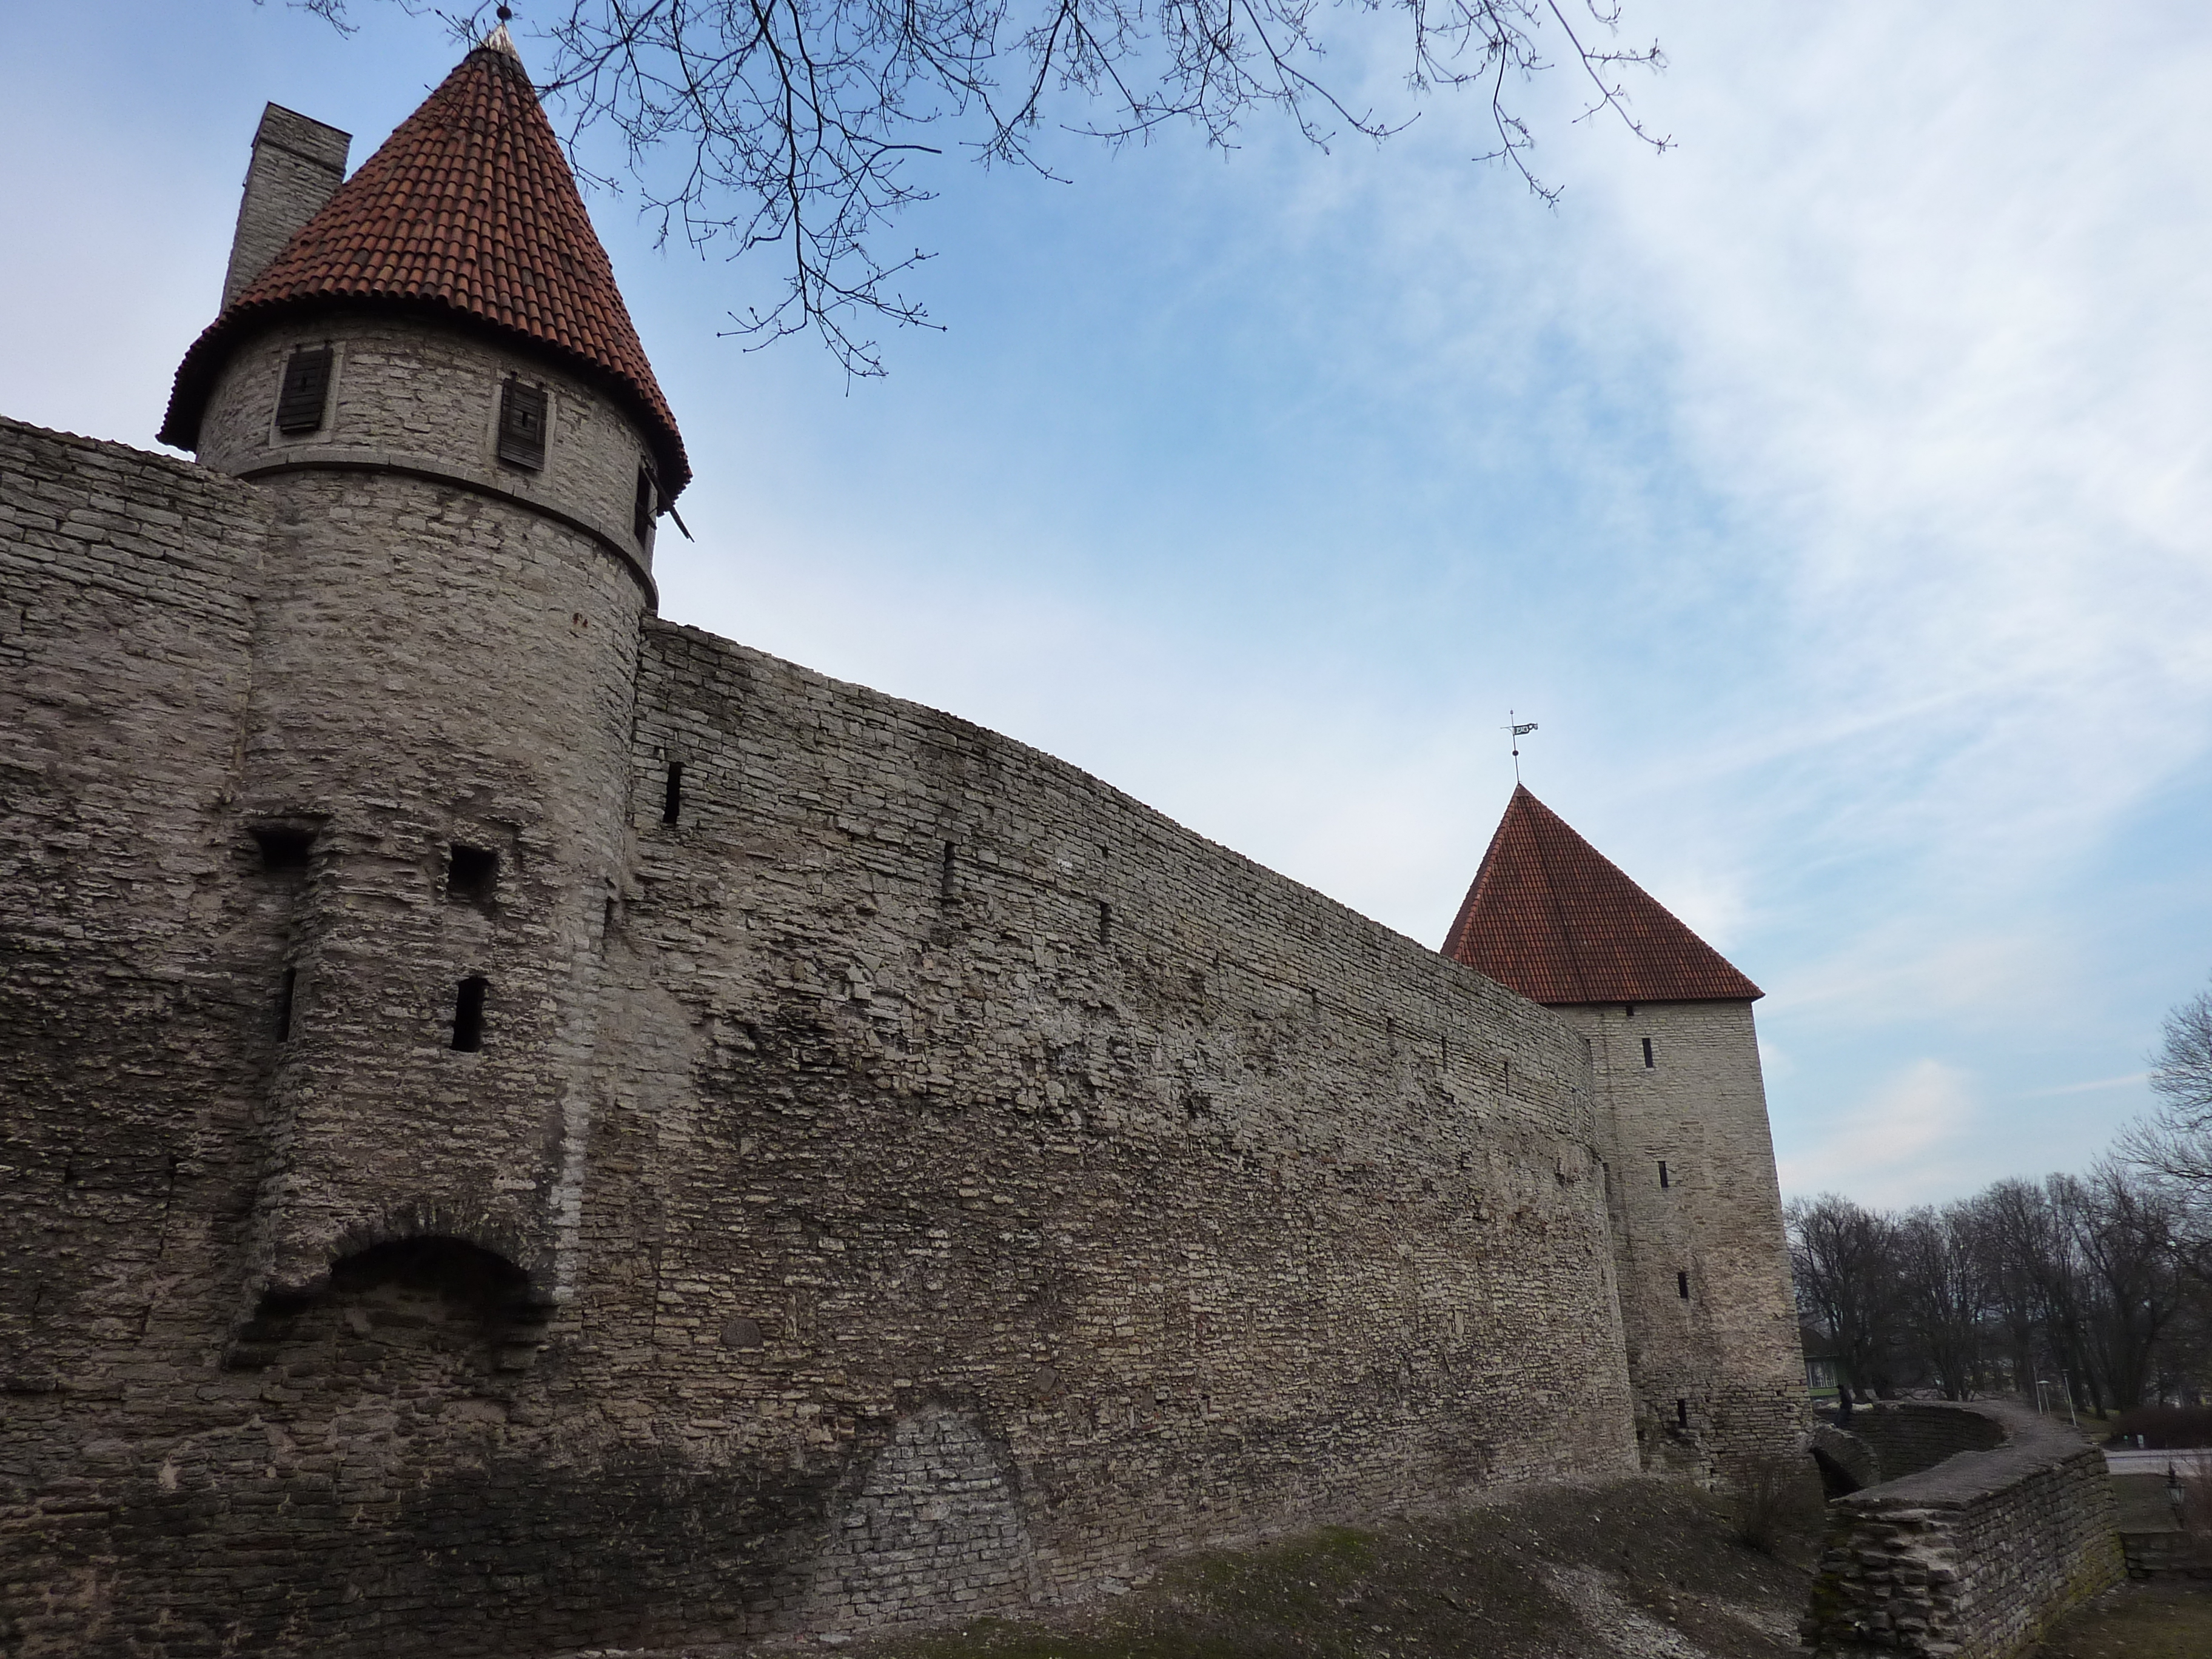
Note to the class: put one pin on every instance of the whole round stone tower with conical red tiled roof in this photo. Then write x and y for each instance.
(441, 386)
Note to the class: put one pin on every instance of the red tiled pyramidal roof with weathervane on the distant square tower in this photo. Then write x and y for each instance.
(1558, 921)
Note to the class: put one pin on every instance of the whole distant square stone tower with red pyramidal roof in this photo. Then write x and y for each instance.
(1698, 1227)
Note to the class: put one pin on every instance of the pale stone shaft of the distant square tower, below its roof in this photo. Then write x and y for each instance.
(1715, 1370)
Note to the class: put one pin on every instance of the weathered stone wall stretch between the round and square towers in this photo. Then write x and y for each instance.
(1211, 1204)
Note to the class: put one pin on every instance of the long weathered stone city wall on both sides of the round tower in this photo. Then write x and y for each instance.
(988, 1189)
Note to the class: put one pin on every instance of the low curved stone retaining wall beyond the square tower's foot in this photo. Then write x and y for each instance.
(1976, 1552)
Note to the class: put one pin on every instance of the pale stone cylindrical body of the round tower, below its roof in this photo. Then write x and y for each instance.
(448, 660)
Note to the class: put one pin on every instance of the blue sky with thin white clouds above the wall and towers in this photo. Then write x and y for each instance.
(1833, 490)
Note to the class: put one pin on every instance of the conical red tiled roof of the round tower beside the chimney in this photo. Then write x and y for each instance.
(470, 213)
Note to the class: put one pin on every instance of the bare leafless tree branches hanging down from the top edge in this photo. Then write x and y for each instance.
(793, 123)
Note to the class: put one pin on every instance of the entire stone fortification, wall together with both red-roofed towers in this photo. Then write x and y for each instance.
(532, 1127)
